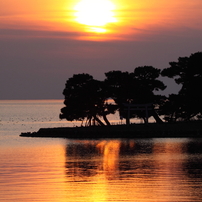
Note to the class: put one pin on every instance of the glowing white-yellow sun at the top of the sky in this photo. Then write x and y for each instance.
(95, 14)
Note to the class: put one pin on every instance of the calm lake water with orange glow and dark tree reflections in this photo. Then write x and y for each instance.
(62, 170)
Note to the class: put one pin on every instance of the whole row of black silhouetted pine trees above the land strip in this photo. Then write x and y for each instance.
(87, 99)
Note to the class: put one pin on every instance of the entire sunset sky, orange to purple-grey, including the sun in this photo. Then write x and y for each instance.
(44, 42)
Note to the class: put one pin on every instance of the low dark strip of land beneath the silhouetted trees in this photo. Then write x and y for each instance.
(151, 130)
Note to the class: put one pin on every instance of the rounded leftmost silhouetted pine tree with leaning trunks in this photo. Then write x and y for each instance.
(85, 97)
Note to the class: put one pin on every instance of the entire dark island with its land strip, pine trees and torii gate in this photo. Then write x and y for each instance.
(133, 95)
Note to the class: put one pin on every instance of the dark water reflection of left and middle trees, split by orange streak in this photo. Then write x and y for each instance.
(113, 158)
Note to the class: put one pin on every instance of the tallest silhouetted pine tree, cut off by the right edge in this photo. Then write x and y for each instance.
(187, 72)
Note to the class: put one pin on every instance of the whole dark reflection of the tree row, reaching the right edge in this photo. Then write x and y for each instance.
(121, 159)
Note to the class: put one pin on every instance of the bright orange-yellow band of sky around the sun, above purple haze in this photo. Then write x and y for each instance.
(134, 18)
